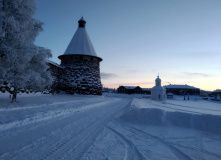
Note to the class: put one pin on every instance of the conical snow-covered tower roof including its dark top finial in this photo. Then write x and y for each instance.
(80, 43)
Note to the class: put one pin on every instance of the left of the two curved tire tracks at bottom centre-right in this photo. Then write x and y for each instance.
(132, 153)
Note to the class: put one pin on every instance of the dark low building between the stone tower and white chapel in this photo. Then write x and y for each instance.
(130, 89)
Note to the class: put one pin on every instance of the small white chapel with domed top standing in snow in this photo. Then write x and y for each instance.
(158, 92)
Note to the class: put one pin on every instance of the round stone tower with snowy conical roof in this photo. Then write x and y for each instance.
(81, 65)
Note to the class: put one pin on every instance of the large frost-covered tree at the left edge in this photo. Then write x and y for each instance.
(22, 63)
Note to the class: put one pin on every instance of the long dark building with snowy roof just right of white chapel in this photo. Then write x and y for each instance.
(182, 89)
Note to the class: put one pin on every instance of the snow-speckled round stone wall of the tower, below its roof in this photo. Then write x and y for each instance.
(82, 77)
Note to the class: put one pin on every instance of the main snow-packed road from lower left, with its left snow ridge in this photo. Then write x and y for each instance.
(65, 132)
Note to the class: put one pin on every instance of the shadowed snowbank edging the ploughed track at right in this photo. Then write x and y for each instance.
(160, 116)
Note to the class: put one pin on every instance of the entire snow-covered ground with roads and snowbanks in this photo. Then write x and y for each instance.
(108, 127)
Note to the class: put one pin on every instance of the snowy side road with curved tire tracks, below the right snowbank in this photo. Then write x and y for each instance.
(123, 141)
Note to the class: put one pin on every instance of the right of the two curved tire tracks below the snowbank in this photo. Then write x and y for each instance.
(181, 155)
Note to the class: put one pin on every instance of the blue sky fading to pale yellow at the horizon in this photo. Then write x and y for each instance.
(137, 39)
